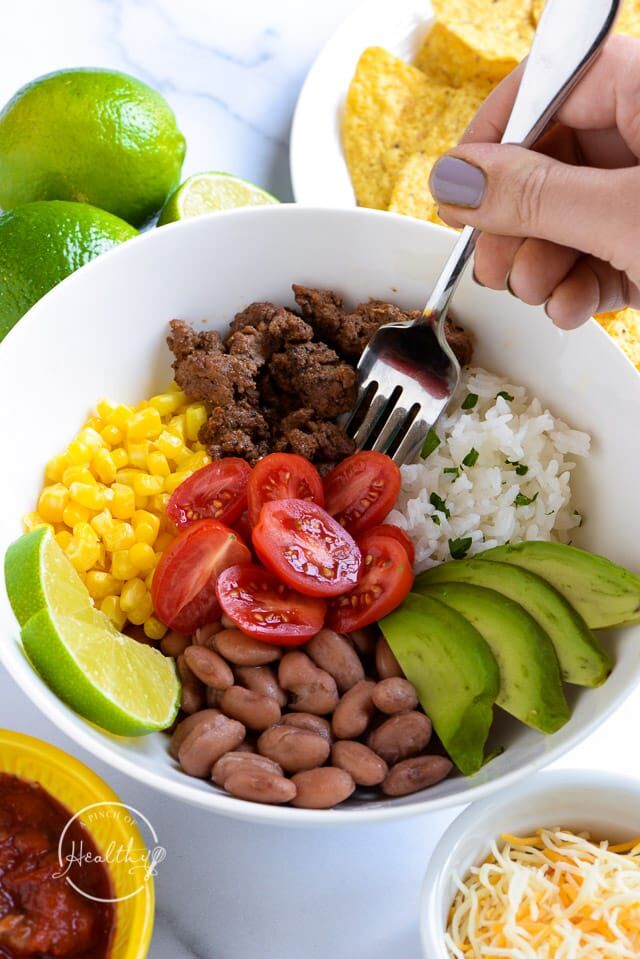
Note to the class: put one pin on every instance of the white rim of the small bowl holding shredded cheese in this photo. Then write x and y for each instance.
(471, 818)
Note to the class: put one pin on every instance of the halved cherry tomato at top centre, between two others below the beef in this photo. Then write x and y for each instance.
(282, 476)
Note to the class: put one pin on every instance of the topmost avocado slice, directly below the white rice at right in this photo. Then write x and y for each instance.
(603, 593)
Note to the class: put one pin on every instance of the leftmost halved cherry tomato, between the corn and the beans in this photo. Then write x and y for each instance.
(184, 583)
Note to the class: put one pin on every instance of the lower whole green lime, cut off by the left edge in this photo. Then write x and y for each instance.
(41, 243)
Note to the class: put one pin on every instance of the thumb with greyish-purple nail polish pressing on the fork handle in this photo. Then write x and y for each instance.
(511, 191)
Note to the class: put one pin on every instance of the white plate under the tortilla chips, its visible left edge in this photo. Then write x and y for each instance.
(319, 173)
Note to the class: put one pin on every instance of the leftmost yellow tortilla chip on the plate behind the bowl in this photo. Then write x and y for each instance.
(381, 89)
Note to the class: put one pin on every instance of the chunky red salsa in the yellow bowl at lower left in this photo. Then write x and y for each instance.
(41, 915)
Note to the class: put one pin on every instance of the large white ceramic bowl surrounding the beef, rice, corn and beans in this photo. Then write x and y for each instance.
(102, 333)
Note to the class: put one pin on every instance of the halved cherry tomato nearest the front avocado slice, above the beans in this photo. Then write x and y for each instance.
(386, 583)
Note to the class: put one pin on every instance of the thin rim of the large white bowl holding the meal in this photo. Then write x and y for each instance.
(84, 734)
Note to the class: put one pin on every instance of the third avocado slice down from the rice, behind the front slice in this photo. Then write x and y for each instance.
(530, 681)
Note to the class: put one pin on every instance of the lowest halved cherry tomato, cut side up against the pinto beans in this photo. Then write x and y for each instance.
(262, 607)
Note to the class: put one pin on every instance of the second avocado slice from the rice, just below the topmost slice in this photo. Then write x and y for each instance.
(582, 659)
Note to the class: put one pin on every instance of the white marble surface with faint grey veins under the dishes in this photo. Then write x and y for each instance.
(232, 72)
